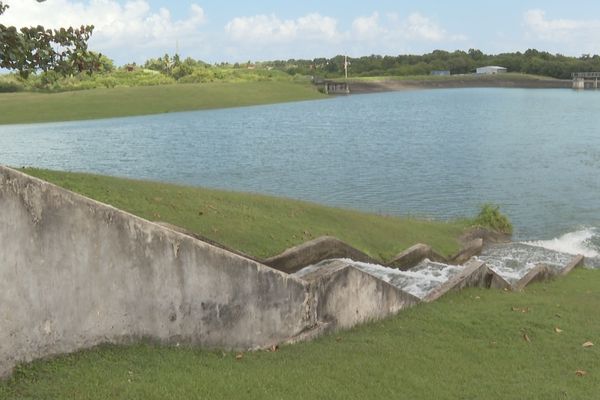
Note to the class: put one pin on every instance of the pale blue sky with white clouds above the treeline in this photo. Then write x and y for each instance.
(239, 31)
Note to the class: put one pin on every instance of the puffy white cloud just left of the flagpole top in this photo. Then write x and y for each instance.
(267, 29)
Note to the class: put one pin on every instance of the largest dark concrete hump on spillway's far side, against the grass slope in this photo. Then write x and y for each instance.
(313, 252)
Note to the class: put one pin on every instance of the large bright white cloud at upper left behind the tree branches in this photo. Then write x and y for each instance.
(129, 26)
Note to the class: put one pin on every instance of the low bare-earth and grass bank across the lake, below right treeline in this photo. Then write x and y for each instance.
(359, 86)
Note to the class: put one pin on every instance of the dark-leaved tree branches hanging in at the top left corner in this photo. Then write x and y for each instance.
(28, 50)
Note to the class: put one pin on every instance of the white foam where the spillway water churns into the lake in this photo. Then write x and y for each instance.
(578, 242)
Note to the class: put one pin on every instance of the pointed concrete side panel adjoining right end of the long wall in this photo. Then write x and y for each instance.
(347, 296)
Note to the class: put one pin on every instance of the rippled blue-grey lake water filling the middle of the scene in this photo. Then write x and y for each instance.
(431, 153)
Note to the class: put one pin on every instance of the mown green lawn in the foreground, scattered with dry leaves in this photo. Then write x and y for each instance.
(468, 345)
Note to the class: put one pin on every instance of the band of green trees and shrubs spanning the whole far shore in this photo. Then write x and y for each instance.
(172, 69)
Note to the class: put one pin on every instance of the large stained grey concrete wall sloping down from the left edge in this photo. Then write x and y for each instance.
(75, 273)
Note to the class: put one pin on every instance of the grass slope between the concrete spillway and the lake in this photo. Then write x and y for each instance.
(259, 225)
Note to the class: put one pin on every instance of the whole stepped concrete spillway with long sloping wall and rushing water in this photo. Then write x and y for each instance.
(75, 273)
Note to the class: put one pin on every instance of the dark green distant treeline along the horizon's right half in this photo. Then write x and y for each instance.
(458, 62)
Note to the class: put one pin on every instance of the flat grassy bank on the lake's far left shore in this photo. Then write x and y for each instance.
(28, 107)
